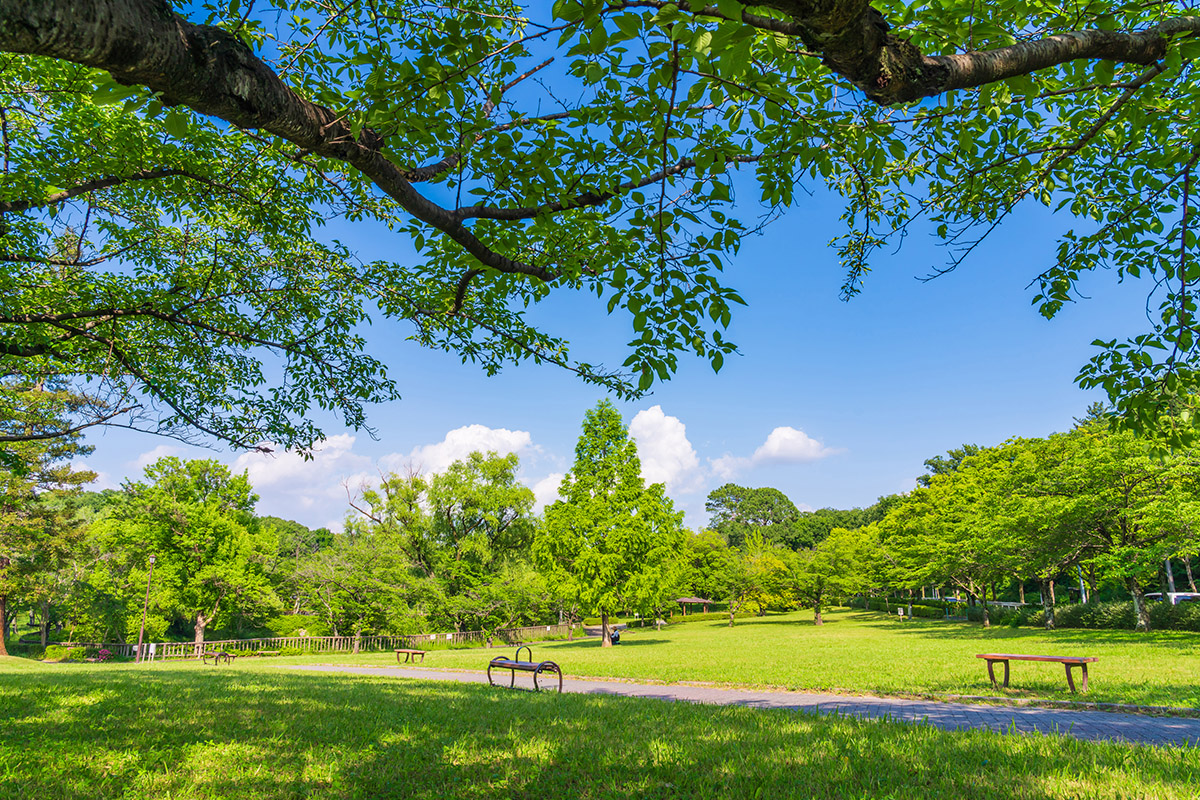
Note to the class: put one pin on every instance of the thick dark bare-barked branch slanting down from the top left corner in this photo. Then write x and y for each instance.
(145, 43)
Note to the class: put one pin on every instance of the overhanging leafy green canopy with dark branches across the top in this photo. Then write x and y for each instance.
(167, 171)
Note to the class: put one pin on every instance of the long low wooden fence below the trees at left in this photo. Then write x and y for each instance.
(159, 651)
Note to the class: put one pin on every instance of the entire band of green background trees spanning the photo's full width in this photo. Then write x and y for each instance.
(464, 550)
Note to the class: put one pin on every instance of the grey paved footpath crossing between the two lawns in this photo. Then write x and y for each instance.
(1097, 726)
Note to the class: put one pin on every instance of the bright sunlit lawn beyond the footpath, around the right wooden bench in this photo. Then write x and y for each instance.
(871, 653)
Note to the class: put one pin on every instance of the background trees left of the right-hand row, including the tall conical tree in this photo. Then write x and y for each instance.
(460, 550)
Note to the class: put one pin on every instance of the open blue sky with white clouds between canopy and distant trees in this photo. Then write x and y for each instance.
(833, 404)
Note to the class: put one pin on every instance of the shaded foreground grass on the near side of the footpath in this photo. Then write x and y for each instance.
(249, 731)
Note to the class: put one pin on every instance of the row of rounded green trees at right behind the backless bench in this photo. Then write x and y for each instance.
(1093, 504)
